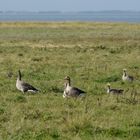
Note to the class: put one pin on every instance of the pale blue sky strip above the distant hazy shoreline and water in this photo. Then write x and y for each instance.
(69, 5)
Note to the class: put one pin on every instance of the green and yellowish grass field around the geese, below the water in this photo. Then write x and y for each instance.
(92, 54)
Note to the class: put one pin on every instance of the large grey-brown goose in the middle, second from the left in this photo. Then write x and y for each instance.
(70, 91)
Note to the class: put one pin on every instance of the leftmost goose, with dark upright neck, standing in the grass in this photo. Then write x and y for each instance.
(23, 86)
